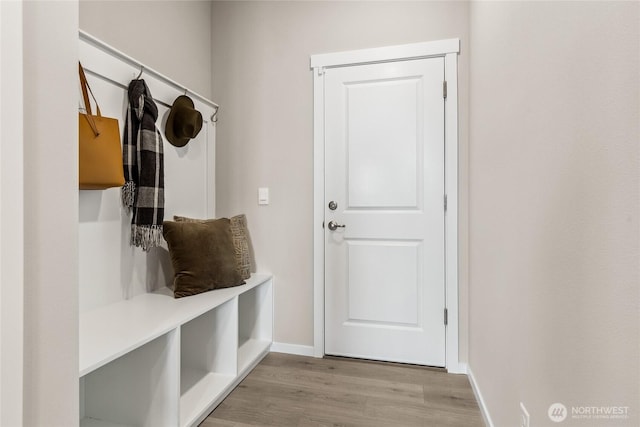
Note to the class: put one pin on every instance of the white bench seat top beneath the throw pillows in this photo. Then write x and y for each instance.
(109, 332)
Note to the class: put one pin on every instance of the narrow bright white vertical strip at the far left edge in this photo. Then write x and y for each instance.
(11, 215)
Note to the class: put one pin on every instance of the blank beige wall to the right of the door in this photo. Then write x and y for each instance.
(554, 207)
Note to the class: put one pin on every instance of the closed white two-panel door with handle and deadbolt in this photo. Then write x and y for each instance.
(384, 231)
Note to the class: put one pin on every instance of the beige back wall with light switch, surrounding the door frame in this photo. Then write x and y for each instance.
(262, 80)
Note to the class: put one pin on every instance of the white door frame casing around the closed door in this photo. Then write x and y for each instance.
(449, 50)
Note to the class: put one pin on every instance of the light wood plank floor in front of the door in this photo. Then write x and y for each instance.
(287, 390)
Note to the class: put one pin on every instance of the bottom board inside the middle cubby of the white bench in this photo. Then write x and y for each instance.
(196, 401)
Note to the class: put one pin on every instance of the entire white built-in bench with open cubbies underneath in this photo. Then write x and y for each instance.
(158, 361)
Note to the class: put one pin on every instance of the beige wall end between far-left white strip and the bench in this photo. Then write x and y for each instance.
(50, 213)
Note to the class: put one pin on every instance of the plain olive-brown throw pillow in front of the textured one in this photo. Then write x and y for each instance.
(203, 256)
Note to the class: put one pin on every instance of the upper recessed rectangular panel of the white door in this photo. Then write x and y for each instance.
(382, 175)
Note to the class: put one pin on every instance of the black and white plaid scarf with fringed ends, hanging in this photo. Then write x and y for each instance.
(143, 158)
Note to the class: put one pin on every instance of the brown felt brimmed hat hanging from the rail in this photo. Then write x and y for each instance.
(184, 122)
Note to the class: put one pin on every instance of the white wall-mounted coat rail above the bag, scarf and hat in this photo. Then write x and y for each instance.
(145, 70)
